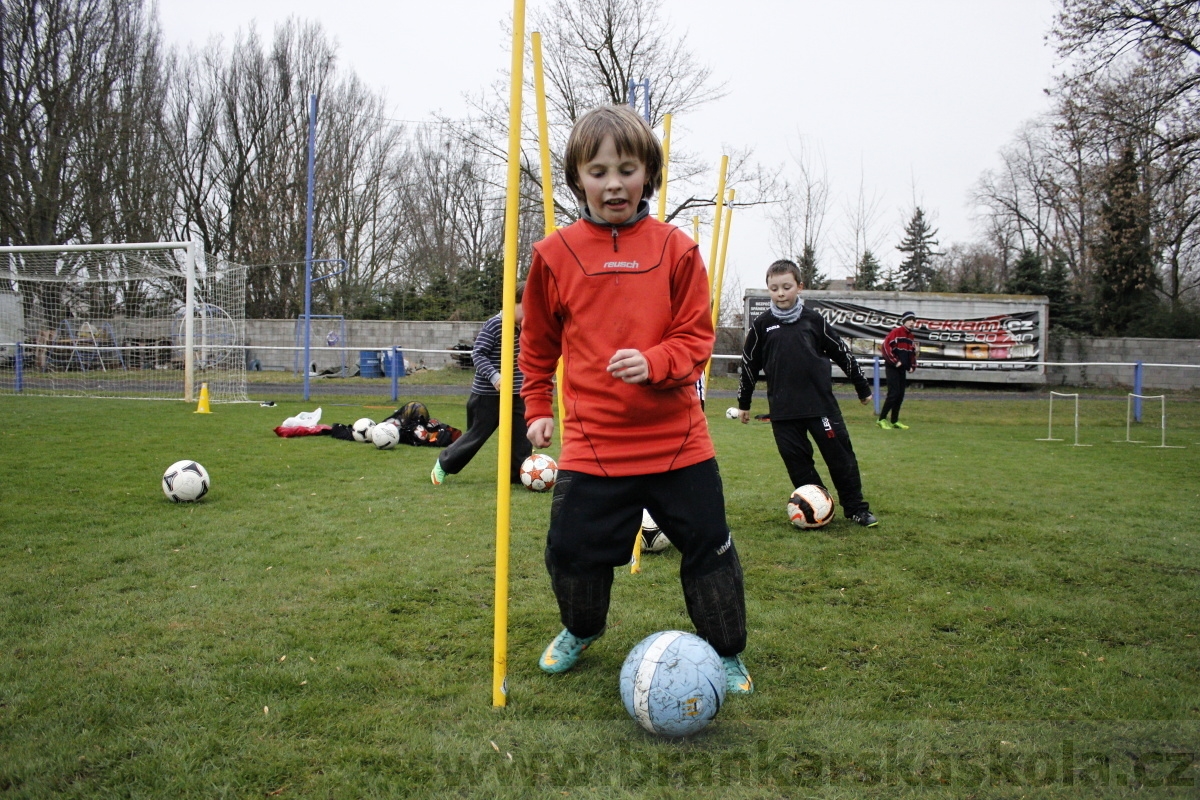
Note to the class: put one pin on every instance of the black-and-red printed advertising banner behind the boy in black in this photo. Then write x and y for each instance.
(1006, 341)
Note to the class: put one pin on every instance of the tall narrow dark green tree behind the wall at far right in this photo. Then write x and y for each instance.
(1125, 263)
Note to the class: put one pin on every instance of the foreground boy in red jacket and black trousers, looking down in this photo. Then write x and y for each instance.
(623, 299)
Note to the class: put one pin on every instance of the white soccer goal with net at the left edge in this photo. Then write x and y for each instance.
(146, 322)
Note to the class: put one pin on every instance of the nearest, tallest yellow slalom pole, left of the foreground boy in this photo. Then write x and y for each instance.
(508, 328)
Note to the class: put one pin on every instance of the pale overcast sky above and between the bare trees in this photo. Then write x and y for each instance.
(913, 99)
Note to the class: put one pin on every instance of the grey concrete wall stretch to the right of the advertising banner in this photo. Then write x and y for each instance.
(1124, 352)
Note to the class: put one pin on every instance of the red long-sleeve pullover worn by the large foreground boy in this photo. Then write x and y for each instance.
(596, 290)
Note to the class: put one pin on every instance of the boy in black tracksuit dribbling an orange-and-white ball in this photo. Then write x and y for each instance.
(794, 346)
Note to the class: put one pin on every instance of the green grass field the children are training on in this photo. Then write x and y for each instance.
(1023, 623)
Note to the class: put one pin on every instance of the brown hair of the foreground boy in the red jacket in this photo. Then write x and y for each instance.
(632, 137)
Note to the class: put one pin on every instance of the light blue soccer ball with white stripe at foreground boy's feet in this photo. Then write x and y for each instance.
(673, 683)
